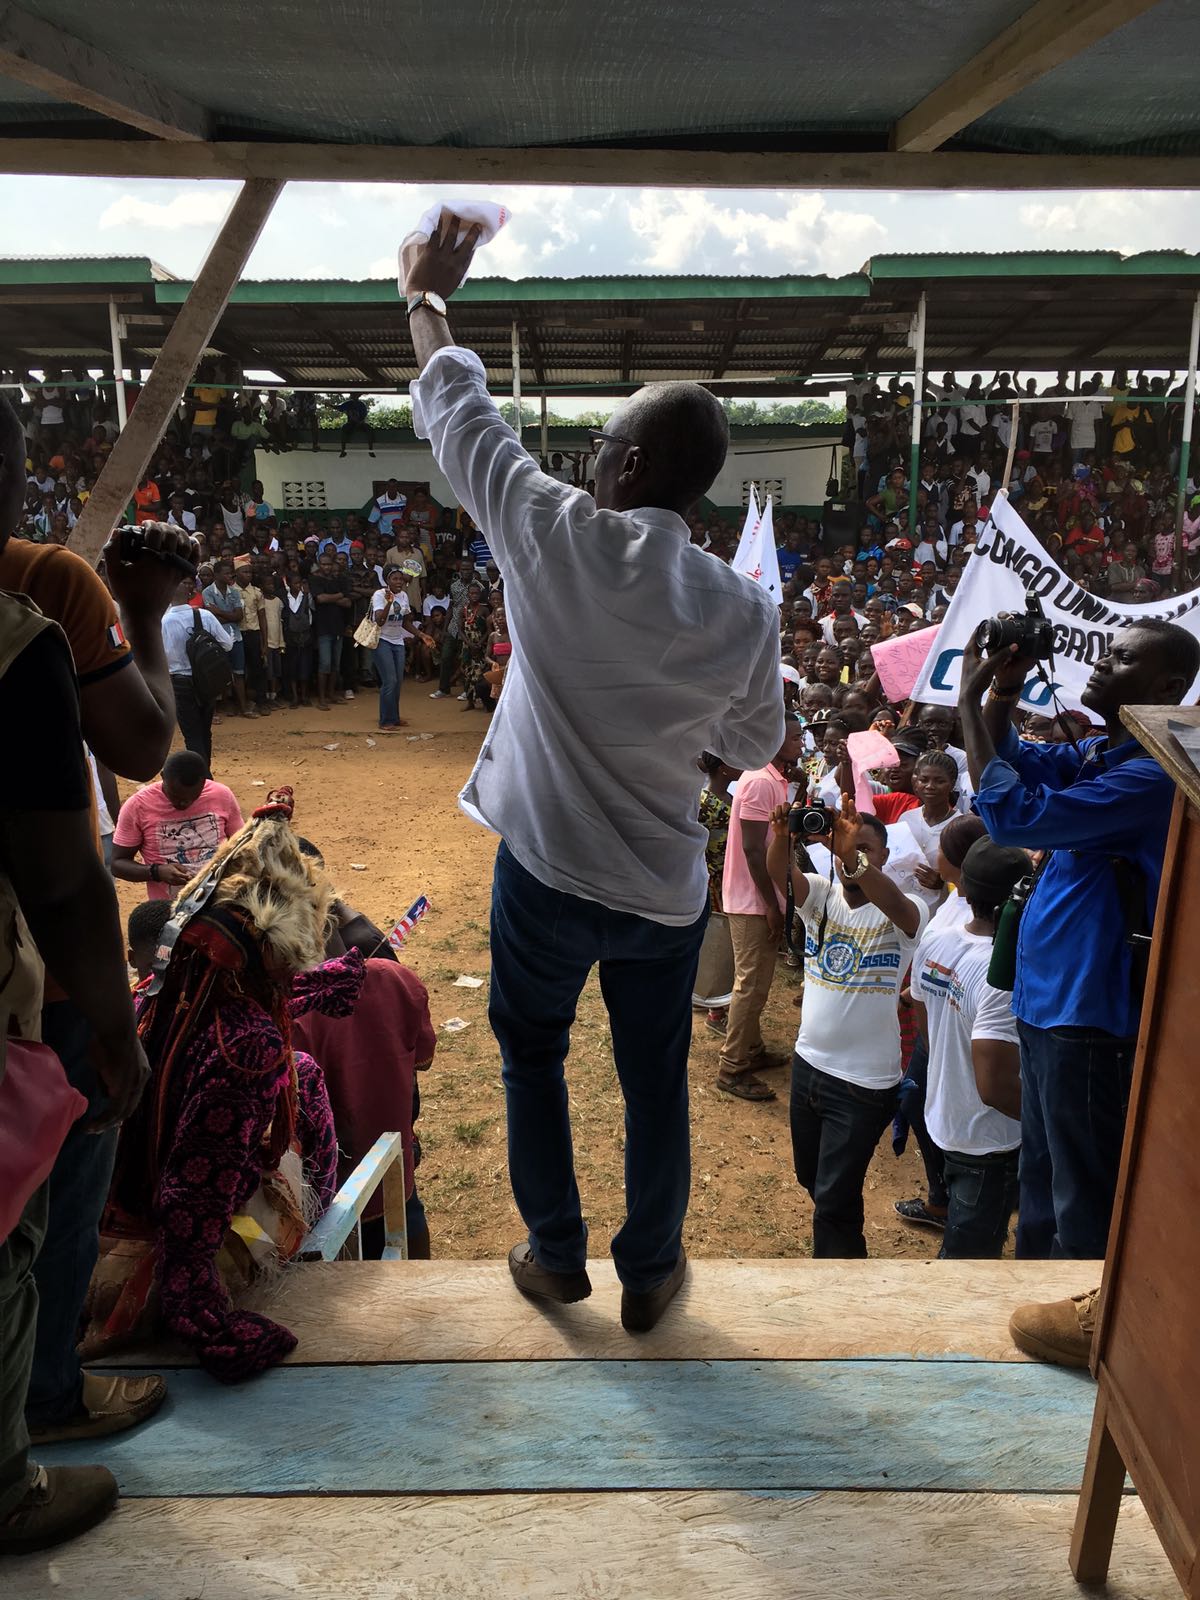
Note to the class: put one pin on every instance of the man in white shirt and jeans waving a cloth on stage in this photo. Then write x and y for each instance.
(633, 654)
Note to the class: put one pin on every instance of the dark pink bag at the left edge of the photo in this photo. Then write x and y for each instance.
(38, 1111)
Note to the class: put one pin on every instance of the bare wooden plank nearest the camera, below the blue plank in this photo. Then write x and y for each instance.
(668, 1546)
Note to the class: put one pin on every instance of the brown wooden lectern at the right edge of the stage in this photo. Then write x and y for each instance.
(1146, 1356)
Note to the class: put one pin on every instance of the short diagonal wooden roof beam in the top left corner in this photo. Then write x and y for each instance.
(46, 58)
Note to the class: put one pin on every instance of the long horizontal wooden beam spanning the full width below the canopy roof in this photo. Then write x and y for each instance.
(382, 164)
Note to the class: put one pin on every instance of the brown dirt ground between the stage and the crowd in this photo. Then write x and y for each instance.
(383, 812)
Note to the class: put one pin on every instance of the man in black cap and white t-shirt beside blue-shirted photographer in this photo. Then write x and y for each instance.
(974, 1049)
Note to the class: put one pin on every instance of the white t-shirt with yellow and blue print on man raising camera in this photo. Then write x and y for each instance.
(849, 1022)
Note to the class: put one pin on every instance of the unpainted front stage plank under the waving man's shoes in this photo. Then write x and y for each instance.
(470, 1311)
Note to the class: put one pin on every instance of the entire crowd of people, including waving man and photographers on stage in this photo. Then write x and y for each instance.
(206, 1114)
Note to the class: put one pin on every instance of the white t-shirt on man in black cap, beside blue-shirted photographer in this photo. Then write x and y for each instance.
(950, 975)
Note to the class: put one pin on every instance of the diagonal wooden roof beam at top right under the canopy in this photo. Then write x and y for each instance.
(1042, 39)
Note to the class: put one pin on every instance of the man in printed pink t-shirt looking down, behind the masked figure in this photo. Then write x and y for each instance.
(175, 826)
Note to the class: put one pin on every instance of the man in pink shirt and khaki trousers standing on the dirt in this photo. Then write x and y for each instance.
(756, 914)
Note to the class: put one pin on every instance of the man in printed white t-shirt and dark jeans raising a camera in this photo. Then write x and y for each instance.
(860, 934)
